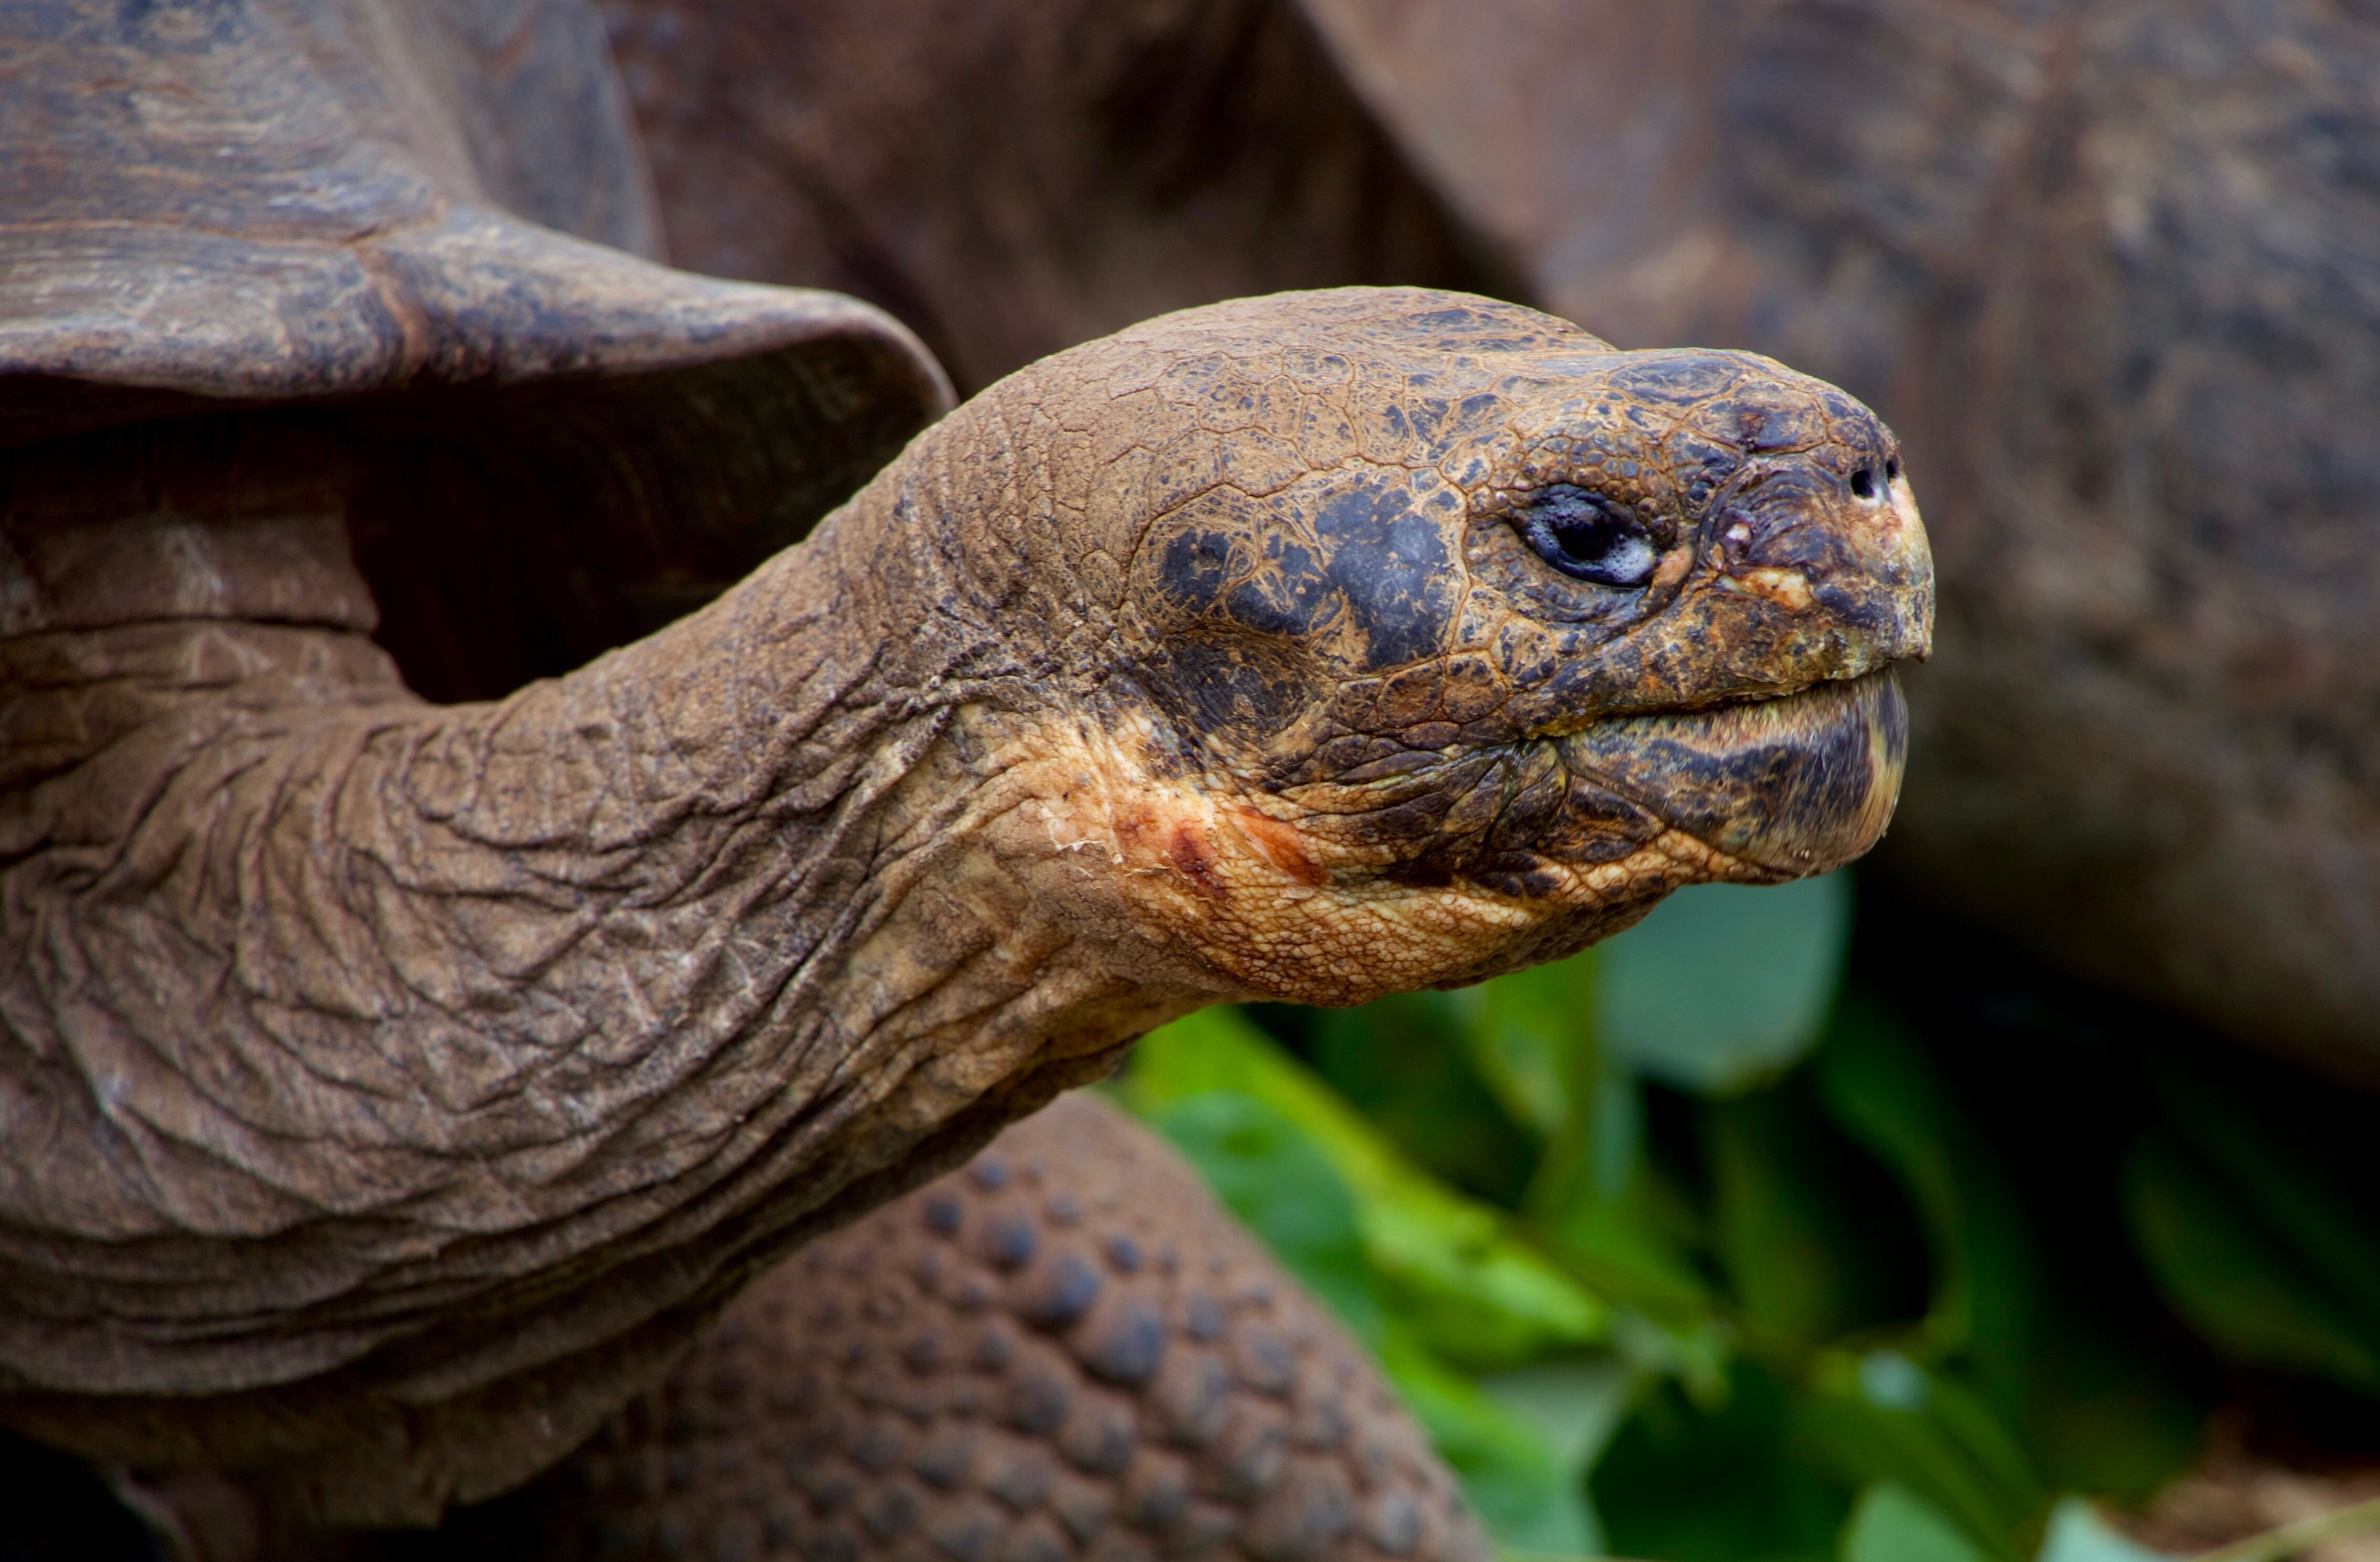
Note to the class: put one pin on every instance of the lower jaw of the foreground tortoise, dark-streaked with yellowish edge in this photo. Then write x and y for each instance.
(1786, 787)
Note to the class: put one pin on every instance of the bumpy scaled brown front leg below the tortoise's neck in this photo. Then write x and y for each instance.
(1060, 1351)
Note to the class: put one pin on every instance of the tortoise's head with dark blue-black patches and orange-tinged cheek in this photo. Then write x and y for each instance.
(1443, 639)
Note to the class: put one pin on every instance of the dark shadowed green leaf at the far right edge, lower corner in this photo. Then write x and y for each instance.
(2234, 1275)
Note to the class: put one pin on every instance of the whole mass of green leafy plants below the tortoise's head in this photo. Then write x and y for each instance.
(1691, 1251)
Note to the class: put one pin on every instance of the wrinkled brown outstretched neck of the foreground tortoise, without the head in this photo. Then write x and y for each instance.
(422, 1051)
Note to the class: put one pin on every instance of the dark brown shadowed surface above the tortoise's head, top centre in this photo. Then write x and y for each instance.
(1015, 180)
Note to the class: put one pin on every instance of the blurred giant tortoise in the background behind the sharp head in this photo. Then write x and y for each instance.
(2105, 263)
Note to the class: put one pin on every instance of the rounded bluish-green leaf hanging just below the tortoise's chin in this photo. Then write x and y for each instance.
(1724, 987)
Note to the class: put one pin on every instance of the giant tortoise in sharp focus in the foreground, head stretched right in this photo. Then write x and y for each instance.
(394, 1089)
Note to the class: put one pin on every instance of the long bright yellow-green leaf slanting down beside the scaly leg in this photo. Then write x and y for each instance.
(1458, 1273)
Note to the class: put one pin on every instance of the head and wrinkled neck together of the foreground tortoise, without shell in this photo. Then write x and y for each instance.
(406, 1085)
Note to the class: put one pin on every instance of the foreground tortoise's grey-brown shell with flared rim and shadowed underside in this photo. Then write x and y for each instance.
(406, 254)
